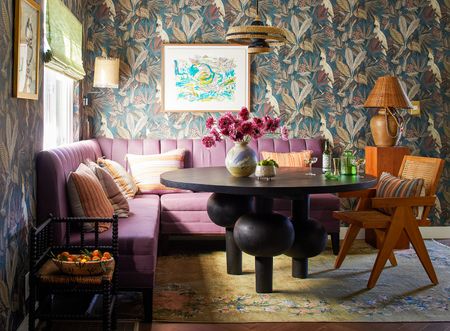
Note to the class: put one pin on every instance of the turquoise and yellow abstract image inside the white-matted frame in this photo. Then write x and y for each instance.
(205, 79)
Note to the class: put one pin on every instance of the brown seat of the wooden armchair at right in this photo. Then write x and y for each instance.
(366, 219)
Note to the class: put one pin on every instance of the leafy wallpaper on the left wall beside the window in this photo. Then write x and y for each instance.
(21, 134)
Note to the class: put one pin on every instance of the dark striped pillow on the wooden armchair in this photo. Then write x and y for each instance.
(393, 187)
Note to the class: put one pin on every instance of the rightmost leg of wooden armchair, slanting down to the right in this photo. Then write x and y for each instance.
(413, 232)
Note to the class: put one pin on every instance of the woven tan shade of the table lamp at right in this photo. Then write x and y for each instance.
(388, 93)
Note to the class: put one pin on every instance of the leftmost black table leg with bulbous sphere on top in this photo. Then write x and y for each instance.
(224, 210)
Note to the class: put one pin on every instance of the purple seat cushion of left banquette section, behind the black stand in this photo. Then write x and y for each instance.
(138, 234)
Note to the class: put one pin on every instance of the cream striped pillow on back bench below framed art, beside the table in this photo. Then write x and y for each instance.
(147, 170)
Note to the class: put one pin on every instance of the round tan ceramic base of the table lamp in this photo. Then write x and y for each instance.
(384, 134)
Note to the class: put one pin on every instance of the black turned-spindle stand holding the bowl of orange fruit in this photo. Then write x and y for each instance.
(48, 285)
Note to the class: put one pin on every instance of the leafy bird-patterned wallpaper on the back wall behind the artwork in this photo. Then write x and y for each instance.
(317, 85)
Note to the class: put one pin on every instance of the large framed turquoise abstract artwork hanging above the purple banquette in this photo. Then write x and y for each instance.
(205, 77)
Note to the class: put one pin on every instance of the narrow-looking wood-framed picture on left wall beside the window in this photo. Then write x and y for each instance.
(26, 49)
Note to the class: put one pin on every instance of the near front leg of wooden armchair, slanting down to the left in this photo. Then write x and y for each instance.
(391, 238)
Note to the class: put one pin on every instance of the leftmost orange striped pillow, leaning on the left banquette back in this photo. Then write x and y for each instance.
(87, 198)
